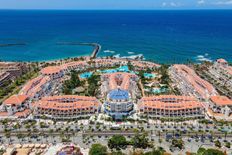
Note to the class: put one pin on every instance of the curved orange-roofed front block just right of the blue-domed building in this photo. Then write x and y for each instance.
(170, 106)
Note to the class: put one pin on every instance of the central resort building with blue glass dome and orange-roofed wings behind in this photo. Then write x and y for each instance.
(120, 90)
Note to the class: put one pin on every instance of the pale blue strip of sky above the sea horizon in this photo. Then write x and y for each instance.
(115, 4)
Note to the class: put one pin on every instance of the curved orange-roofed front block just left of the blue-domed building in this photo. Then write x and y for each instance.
(66, 107)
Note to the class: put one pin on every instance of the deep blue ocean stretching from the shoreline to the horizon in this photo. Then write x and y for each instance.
(162, 36)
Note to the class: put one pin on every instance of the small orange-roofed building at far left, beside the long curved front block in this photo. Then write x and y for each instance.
(16, 105)
